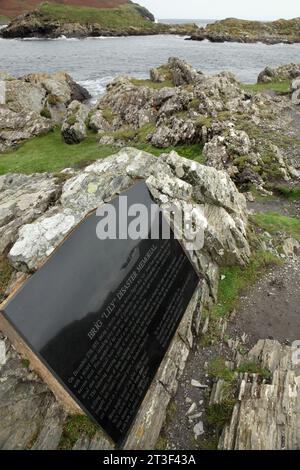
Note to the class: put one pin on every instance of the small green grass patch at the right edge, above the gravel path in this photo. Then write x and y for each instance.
(273, 222)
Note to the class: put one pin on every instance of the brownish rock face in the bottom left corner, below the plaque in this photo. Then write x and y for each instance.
(30, 416)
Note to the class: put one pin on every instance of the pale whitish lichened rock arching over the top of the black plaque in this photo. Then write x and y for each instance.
(88, 189)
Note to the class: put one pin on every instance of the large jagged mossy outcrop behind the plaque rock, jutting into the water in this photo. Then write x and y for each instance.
(190, 108)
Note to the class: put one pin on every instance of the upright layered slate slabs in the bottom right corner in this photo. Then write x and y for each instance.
(267, 414)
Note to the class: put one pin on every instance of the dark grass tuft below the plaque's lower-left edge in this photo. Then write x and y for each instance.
(74, 427)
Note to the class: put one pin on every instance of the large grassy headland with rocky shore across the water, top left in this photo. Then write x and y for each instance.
(94, 18)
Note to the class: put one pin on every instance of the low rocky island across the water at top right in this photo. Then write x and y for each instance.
(235, 30)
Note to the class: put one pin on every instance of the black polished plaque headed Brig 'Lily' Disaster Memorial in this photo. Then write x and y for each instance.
(101, 314)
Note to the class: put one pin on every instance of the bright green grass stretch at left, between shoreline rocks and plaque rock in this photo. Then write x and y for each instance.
(50, 154)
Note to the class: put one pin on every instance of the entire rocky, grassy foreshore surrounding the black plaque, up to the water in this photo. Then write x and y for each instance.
(196, 140)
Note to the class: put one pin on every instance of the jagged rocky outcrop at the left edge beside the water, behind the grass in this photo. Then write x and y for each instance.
(34, 104)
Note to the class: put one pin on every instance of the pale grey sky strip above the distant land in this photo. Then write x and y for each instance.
(219, 9)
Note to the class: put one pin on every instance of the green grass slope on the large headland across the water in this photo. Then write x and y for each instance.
(121, 17)
